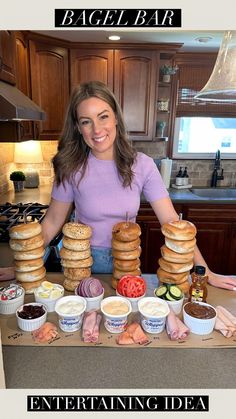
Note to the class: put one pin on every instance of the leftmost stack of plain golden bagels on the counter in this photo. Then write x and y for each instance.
(27, 243)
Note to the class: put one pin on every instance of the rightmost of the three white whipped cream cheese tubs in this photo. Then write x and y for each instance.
(153, 323)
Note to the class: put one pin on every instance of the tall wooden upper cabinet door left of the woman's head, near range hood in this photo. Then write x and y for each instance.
(50, 85)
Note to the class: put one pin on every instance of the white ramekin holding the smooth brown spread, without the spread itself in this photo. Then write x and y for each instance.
(199, 326)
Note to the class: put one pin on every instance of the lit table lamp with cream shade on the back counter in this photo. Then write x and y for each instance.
(29, 152)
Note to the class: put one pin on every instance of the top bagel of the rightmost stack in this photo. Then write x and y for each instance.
(179, 230)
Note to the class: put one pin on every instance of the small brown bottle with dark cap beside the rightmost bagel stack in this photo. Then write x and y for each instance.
(198, 288)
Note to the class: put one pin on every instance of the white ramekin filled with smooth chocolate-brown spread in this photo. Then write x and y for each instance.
(199, 317)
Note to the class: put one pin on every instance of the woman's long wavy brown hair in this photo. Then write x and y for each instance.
(72, 154)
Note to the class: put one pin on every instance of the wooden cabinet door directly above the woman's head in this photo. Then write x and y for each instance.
(91, 64)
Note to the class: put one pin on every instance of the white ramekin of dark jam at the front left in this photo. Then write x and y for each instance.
(31, 316)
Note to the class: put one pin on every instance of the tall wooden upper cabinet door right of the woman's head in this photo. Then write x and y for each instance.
(135, 78)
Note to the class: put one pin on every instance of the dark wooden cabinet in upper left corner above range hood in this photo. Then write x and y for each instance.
(7, 56)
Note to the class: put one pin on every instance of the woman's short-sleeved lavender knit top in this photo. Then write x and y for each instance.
(100, 199)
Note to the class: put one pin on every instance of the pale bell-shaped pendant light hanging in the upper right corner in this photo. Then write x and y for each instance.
(221, 86)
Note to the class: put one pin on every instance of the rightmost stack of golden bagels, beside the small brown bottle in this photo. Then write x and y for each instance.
(177, 253)
